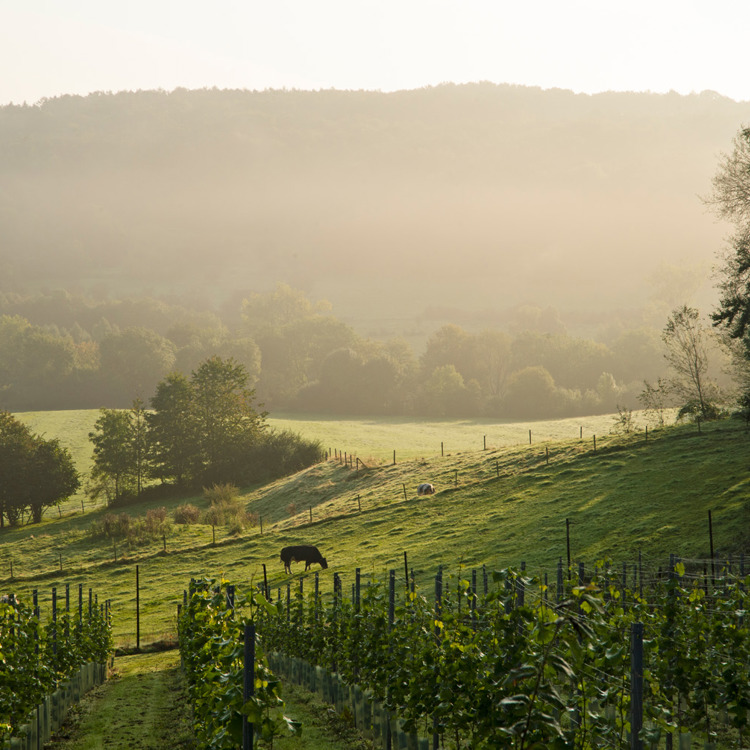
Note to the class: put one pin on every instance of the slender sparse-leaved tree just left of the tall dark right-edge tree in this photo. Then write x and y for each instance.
(686, 342)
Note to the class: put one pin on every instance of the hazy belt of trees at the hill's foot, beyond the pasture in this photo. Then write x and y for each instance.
(60, 351)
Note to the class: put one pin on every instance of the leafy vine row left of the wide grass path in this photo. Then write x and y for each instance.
(44, 668)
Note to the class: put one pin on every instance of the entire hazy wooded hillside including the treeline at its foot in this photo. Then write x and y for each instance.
(485, 250)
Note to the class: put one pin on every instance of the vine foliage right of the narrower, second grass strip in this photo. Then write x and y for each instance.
(520, 667)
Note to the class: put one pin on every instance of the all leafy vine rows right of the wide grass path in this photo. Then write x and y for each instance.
(487, 660)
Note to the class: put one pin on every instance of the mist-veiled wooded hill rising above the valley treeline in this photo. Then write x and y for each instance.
(453, 202)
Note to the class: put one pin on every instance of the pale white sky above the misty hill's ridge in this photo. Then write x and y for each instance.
(53, 47)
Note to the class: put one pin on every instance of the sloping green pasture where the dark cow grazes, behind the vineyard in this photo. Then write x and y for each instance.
(498, 506)
